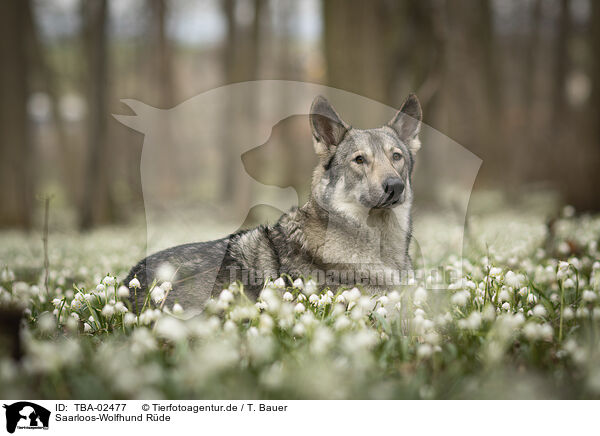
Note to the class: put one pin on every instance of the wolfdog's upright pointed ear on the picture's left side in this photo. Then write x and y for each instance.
(327, 127)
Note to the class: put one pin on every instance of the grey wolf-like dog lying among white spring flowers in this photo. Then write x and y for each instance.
(355, 229)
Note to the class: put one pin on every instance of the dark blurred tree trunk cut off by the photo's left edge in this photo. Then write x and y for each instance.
(16, 153)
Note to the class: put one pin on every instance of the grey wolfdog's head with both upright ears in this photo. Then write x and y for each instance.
(360, 170)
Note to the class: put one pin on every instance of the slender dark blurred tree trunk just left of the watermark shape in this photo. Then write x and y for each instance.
(96, 205)
